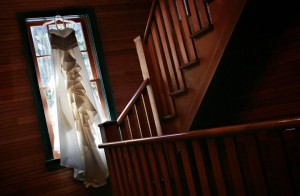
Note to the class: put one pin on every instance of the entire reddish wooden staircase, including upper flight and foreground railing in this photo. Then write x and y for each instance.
(149, 149)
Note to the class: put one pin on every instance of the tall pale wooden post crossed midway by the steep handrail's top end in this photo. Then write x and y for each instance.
(144, 68)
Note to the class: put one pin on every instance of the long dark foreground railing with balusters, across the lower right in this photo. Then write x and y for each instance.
(250, 159)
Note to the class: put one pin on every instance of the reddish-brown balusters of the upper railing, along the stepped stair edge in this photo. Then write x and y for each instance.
(168, 43)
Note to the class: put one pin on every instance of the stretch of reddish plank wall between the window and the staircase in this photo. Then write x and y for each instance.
(119, 49)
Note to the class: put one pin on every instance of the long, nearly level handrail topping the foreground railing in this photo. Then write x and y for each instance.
(213, 132)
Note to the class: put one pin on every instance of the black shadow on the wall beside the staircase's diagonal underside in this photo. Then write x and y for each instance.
(244, 62)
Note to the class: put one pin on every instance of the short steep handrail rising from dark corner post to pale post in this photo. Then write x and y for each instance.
(132, 101)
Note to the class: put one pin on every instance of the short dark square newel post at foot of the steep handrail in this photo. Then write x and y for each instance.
(109, 131)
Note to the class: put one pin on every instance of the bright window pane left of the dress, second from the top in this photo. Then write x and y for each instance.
(44, 64)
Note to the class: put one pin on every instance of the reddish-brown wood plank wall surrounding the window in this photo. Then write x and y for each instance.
(22, 160)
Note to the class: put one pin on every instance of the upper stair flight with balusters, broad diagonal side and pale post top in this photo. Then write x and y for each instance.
(180, 51)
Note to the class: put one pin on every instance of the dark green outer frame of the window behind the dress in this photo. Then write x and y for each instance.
(51, 163)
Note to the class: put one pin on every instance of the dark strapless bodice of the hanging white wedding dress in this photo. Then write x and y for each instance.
(64, 39)
